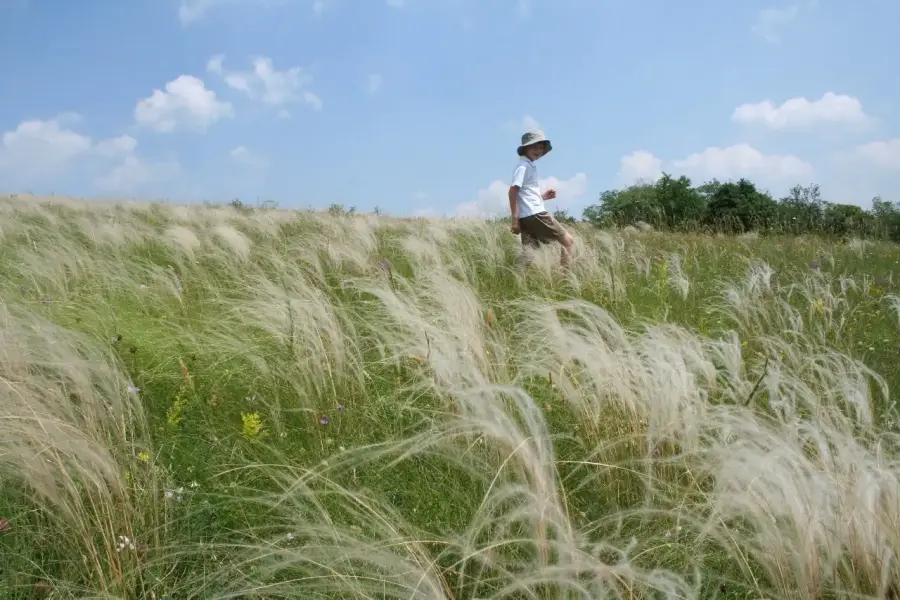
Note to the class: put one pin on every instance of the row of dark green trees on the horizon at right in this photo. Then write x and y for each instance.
(674, 204)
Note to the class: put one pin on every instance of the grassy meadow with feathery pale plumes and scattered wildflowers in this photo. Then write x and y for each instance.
(216, 402)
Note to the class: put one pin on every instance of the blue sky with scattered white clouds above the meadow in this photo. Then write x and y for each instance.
(416, 106)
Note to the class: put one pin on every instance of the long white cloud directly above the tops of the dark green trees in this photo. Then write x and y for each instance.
(742, 160)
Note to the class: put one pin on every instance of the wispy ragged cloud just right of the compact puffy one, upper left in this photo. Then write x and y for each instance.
(267, 84)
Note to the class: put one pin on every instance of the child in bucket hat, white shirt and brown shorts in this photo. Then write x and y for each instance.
(526, 202)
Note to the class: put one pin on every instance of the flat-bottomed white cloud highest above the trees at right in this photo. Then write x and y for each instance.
(798, 113)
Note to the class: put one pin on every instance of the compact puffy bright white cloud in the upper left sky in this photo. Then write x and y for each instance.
(185, 103)
